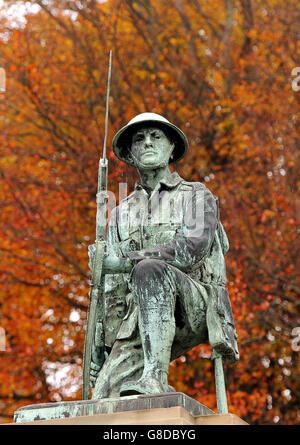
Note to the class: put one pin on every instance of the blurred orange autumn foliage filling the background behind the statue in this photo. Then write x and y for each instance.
(219, 70)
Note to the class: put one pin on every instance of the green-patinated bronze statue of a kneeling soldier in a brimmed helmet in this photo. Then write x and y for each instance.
(164, 268)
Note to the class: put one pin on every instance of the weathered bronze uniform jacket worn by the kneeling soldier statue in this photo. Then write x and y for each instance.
(177, 222)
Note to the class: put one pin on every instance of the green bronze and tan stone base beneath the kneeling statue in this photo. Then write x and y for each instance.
(158, 409)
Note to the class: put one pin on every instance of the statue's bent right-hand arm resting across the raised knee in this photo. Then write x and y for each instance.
(191, 245)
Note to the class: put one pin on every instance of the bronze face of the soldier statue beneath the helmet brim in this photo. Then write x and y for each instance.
(151, 147)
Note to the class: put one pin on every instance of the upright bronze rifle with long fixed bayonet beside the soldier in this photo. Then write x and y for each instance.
(95, 330)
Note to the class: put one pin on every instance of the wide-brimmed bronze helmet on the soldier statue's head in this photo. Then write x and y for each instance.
(123, 138)
